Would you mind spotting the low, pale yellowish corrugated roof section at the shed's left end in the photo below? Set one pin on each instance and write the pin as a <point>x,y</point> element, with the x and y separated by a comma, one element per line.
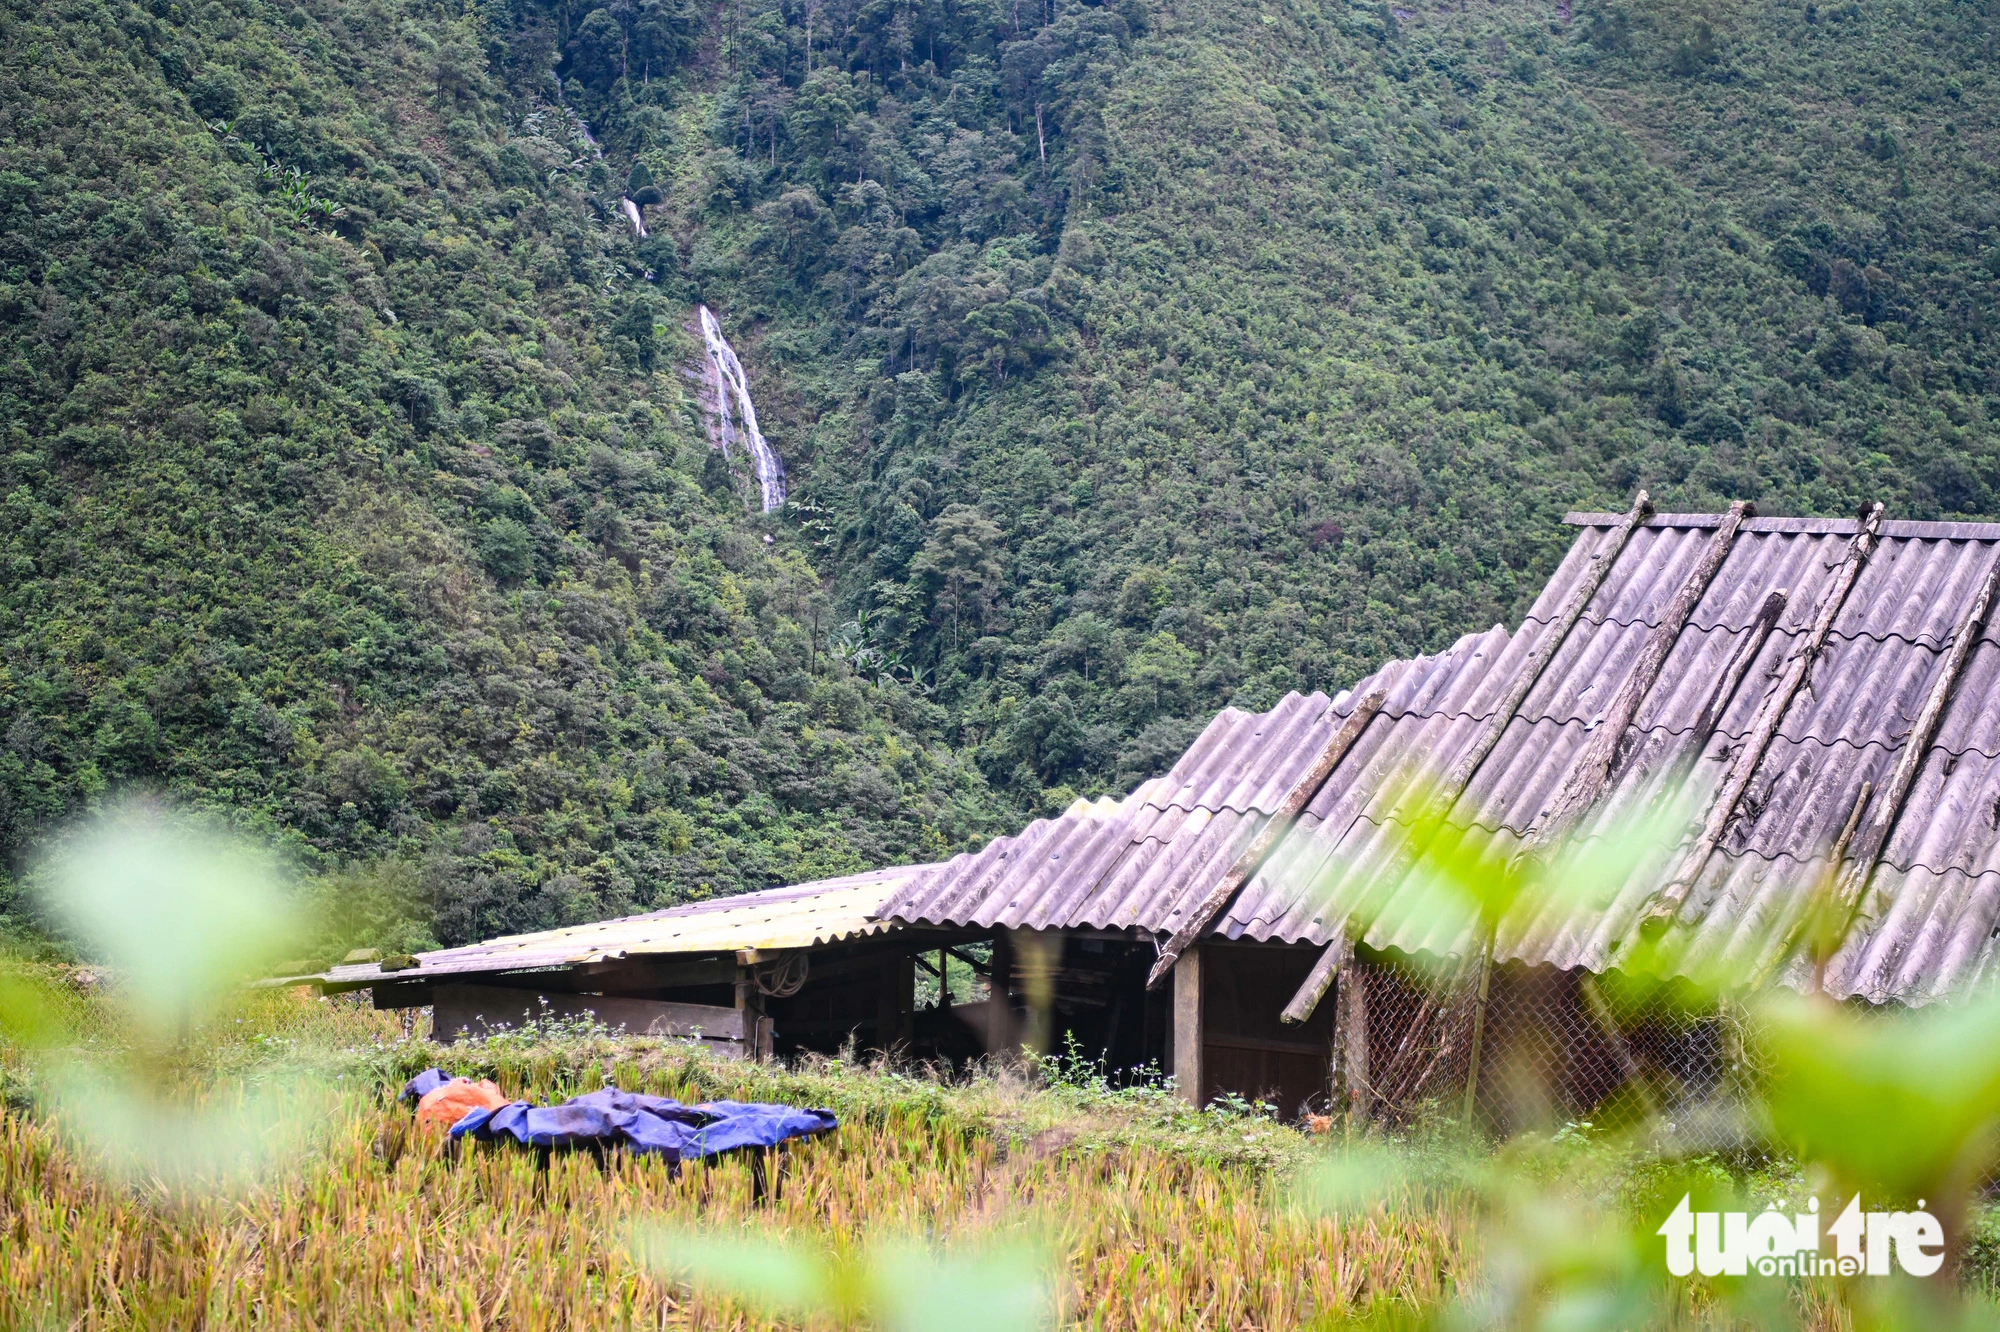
<point>797,917</point>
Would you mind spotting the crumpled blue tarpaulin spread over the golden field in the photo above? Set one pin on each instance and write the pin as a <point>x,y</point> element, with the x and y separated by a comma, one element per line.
<point>649,1125</point>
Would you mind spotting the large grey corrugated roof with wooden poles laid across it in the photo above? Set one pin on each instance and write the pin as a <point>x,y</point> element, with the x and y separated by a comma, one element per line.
<point>1927,925</point>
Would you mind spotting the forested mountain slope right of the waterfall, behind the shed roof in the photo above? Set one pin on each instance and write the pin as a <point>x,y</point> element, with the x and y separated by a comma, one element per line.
<point>1317,317</point>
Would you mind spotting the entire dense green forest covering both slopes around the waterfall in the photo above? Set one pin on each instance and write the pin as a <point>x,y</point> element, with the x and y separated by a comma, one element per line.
<point>1129,361</point>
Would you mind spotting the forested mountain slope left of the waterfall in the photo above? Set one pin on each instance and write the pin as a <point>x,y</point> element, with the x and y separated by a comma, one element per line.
<point>395,531</point>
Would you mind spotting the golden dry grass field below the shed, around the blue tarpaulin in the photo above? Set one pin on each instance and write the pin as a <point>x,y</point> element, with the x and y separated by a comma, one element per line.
<point>1155,1217</point>
